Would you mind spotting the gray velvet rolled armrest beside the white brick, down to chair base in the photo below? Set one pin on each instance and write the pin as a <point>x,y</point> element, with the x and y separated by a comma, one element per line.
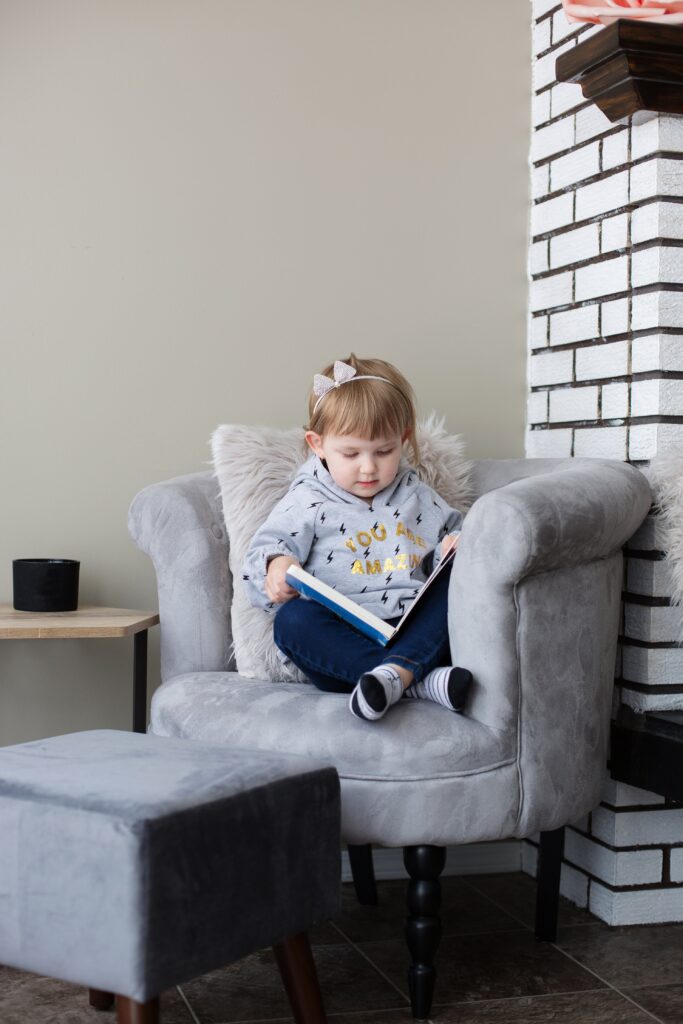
<point>534,611</point>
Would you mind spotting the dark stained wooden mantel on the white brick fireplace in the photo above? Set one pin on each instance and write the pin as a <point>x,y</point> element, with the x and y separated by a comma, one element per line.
<point>630,66</point>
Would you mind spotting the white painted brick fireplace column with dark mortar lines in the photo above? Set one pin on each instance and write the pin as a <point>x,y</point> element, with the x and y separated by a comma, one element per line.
<point>606,379</point>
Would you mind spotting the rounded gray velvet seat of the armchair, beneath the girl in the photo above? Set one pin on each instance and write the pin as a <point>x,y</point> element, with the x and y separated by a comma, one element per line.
<point>401,778</point>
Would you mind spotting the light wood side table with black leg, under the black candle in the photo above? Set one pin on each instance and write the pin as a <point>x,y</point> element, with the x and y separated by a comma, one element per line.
<point>90,623</point>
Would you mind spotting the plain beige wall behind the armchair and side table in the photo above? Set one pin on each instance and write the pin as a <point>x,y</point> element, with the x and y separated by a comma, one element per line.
<point>201,204</point>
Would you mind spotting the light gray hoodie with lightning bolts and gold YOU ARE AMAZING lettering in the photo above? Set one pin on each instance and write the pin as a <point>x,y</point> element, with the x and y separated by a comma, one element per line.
<point>377,554</point>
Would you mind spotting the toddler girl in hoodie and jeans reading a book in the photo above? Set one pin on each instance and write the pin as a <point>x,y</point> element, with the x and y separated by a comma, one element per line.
<point>359,518</point>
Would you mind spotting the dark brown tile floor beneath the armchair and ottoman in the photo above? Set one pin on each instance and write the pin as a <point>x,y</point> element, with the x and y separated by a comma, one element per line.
<point>492,970</point>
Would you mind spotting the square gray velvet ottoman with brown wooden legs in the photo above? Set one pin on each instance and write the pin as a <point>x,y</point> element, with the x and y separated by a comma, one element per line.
<point>131,864</point>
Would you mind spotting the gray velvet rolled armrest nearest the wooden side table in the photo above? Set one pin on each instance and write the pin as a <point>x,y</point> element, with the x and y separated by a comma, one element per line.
<point>180,525</point>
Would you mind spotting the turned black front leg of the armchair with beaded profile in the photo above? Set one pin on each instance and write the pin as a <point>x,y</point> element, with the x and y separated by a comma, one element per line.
<point>423,926</point>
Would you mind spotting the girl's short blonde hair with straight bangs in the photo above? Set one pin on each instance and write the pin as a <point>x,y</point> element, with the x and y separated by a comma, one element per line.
<point>371,409</point>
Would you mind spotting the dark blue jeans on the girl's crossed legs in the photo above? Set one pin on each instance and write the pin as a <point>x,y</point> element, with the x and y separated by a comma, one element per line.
<point>334,656</point>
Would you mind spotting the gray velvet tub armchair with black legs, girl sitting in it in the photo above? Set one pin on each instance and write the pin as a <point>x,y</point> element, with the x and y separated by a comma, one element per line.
<point>534,614</point>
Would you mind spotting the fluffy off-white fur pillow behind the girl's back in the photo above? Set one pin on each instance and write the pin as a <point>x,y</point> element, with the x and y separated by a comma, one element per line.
<point>254,467</point>
